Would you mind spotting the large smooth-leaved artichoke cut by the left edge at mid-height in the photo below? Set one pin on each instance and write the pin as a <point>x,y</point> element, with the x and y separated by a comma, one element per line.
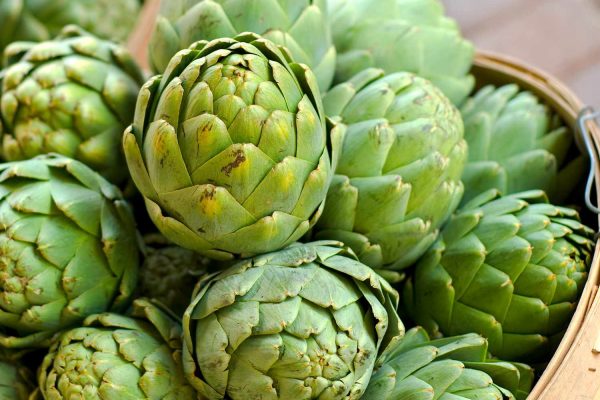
<point>67,248</point>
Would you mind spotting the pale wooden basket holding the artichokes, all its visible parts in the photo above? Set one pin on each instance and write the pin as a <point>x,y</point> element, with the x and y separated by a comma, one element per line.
<point>574,371</point>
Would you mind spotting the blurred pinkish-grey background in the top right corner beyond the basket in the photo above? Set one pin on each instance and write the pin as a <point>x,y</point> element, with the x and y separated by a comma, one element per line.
<point>561,37</point>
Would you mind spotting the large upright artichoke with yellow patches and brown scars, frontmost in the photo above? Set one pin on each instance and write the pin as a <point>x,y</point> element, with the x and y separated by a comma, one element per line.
<point>230,148</point>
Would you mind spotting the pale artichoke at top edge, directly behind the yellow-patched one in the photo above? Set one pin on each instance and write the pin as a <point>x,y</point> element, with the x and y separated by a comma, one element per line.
<point>300,25</point>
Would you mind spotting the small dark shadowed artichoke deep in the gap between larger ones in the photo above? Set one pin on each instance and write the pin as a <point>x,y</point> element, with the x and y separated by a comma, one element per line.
<point>169,273</point>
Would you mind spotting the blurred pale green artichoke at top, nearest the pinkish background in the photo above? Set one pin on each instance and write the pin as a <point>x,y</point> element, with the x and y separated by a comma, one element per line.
<point>402,35</point>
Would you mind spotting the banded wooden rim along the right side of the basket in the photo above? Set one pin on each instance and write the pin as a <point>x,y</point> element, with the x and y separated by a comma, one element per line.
<point>500,69</point>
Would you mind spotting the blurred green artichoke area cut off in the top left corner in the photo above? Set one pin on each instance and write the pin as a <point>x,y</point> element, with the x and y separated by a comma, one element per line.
<point>39,20</point>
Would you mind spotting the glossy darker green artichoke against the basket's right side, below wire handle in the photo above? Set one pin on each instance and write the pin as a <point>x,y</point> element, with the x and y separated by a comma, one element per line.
<point>509,268</point>
